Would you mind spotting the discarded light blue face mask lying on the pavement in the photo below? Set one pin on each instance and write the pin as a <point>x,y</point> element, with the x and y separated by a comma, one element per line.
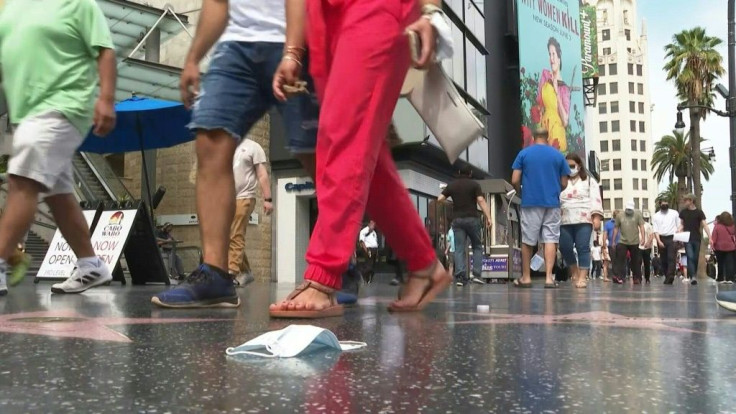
<point>292,341</point>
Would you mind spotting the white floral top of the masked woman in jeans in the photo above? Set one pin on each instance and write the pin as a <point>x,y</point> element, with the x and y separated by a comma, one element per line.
<point>580,201</point>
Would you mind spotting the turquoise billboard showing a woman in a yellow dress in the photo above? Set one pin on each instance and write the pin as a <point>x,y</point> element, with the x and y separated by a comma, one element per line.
<point>550,72</point>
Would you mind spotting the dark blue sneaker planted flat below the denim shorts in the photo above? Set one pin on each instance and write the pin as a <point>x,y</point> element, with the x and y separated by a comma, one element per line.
<point>206,287</point>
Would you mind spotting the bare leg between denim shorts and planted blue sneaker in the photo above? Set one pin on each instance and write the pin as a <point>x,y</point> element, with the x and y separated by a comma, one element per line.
<point>215,193</point>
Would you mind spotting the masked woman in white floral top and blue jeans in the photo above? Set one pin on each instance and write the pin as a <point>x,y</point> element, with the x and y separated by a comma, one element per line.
<point>582,211</point>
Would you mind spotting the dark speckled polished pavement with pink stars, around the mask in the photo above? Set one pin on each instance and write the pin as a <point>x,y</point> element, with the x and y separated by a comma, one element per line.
<point>602,349</point>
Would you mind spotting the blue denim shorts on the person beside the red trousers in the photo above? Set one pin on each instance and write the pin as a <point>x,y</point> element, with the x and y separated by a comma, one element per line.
<point>236,92</point>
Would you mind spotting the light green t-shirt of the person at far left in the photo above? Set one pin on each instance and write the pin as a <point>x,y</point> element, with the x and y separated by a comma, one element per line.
<point>48,57</point>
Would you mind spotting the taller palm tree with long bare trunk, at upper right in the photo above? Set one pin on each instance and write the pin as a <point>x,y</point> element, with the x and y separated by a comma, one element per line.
<point>694,65</point>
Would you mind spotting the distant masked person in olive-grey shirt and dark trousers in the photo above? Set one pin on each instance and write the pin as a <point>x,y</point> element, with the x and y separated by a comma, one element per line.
<point>629,231</point>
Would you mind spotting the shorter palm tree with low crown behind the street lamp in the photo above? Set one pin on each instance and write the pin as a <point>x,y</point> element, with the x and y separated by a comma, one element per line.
<point>671,159</point>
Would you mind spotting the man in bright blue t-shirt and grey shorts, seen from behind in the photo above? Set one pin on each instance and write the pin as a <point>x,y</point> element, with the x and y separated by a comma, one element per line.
<point>540,173</point>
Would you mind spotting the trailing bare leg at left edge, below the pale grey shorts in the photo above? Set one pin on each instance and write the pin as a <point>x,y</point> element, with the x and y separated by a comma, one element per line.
<point>20,209</point>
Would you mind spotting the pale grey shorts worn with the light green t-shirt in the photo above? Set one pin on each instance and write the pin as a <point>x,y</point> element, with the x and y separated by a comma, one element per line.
<point>43,149</point>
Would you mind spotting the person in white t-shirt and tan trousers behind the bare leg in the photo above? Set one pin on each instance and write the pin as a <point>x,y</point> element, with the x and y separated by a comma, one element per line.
<point>249,170</point>
